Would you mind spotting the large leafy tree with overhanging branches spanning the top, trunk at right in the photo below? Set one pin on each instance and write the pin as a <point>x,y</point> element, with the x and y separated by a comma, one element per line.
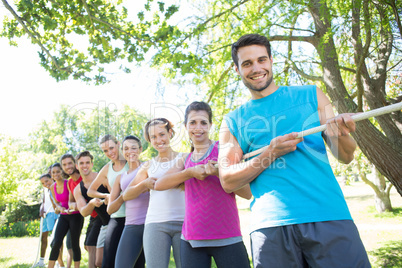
<point>351,49</point>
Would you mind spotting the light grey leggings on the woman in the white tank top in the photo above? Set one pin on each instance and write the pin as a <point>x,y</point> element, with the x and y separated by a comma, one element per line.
<point>158,239</point>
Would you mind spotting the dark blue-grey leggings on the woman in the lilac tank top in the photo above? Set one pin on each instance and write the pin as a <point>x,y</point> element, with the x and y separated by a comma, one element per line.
<point>130,246</point>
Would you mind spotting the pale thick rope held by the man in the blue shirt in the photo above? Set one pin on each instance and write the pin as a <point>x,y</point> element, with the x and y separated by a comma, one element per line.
<point>357,117</point>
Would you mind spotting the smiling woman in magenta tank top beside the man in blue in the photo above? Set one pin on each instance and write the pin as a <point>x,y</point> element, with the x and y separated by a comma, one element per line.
<point>211,225</point>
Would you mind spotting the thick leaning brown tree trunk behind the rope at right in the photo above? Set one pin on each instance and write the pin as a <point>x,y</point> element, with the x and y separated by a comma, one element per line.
<point>376,146</point>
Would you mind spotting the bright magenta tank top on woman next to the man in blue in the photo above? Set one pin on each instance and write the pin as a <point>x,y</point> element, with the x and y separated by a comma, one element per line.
<point>211,213</point>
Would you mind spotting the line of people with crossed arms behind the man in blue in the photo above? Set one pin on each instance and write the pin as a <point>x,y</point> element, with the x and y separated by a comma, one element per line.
<point>139,211</point>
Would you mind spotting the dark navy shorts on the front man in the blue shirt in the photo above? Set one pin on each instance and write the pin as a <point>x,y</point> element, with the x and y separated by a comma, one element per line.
<point>317,244</point>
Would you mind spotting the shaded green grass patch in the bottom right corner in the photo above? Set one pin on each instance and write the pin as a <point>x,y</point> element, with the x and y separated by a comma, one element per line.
<point>389,255</point>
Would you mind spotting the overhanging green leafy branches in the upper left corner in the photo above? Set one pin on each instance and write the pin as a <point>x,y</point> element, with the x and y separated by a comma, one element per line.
<point>55,26</point>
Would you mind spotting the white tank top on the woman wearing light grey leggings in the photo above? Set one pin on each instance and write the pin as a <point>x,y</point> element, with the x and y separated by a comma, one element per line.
<point>165,205</point>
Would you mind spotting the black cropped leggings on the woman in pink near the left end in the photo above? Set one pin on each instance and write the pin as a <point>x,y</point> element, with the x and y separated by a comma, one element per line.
<point>74,223</point>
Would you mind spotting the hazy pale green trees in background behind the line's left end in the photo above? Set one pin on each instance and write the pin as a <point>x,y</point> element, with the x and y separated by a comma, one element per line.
<point>71,130</point>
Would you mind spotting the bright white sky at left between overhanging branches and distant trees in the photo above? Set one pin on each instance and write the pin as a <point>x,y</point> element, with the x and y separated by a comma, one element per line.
<point>29,95</point>
